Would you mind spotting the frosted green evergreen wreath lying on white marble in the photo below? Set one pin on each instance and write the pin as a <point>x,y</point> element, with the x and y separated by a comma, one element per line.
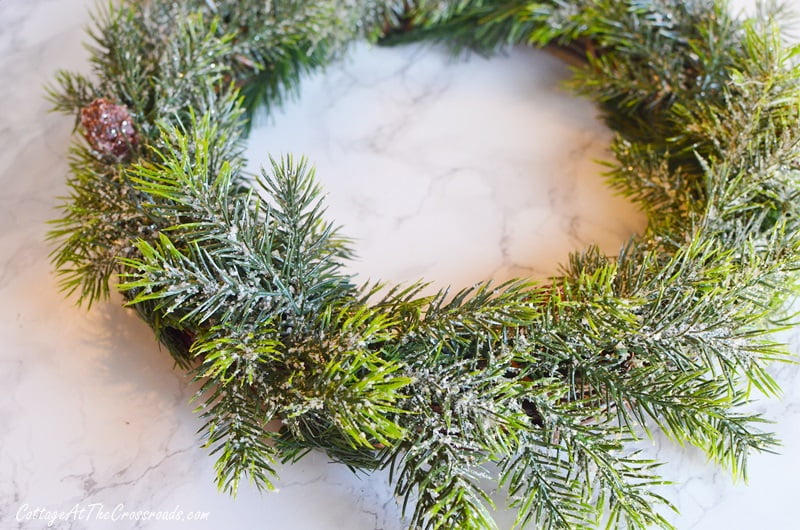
<point>537,385</point>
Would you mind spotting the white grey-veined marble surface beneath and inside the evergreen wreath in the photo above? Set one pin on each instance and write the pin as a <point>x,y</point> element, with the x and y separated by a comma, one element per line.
<point>455,171</point>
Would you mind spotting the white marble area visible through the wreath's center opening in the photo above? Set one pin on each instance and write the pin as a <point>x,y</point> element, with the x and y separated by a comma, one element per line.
<point>453,170</point>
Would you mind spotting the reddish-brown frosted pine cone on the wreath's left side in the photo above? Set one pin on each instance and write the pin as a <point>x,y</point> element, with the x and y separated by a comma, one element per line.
<point>109,129</point>
